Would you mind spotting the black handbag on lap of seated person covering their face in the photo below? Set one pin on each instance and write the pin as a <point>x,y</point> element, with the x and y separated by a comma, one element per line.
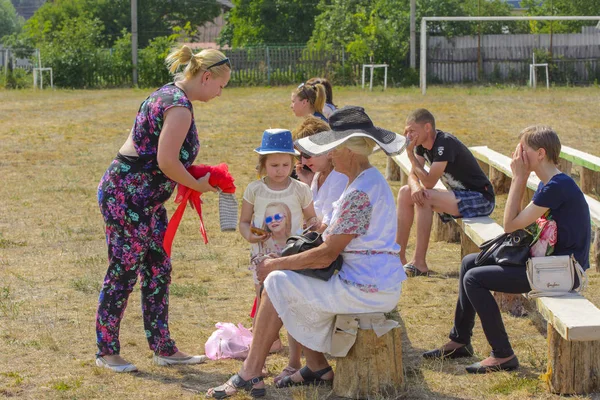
<point>507,249</point>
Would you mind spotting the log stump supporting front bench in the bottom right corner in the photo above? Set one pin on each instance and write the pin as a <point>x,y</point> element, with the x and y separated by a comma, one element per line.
<point>573,367</point>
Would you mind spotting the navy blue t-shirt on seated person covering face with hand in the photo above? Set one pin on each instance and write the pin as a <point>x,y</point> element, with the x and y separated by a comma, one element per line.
<point>572,216</point>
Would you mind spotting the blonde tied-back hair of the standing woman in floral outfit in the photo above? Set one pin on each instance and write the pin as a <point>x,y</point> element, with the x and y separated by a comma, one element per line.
<point>195,63</point>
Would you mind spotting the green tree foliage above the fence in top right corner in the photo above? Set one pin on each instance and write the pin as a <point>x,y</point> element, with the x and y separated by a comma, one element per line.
<point>561,7</point>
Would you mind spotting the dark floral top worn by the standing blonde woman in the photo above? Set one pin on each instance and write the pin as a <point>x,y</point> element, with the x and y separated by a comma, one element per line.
<point>149,122</point>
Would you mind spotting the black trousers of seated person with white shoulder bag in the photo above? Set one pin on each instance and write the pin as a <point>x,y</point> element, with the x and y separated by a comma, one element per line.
<point>474,296</point>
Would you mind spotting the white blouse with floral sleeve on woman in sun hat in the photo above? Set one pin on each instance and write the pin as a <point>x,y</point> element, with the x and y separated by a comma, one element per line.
<point>367,209</point>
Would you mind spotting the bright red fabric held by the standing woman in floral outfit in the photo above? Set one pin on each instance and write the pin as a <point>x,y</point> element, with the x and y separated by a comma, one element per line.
<point>219,177</point>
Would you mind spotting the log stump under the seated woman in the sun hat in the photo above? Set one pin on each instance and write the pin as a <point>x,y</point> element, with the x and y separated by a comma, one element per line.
<point>373,366</point>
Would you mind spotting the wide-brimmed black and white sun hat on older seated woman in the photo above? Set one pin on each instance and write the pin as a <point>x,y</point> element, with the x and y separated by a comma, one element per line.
<point>347,122</point>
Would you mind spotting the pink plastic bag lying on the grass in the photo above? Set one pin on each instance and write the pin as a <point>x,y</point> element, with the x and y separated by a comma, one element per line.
<point>228,341</point>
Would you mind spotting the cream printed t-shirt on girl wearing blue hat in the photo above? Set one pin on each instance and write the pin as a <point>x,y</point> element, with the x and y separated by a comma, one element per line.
<point>293,199</point>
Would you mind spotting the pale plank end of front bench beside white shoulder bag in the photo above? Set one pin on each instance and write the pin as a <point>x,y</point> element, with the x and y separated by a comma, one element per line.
<point>573,316</point>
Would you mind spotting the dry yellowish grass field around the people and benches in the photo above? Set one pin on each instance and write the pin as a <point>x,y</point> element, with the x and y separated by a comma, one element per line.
<point>55,146</point>
